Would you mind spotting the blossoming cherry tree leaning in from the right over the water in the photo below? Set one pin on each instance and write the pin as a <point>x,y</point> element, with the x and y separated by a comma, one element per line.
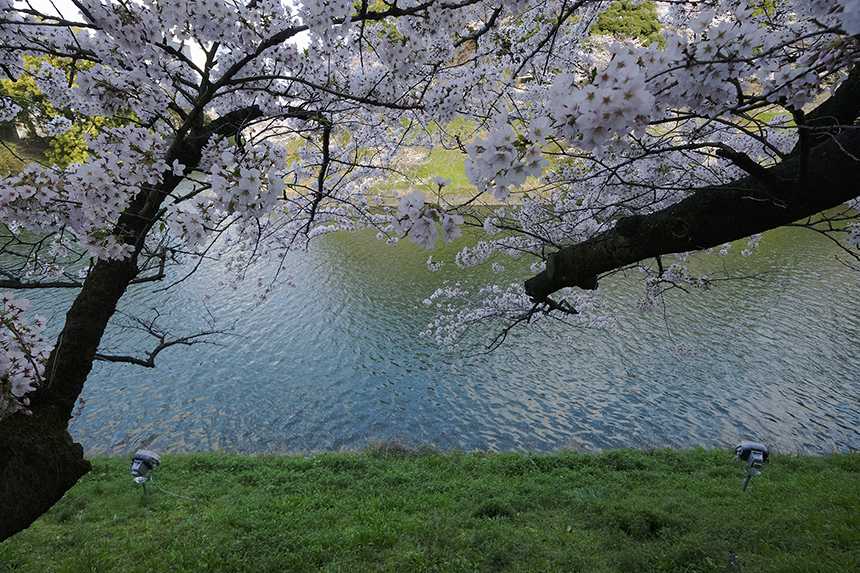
<point>741,122</point>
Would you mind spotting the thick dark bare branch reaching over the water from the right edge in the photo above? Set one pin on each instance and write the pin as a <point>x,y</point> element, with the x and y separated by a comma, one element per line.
<point>712,216</point>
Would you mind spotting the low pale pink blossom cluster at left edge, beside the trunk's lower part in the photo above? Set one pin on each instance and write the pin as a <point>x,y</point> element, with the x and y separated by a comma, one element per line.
<point>24,351</point>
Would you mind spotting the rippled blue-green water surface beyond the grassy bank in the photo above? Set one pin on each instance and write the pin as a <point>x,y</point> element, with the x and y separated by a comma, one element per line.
<point>338,362</point>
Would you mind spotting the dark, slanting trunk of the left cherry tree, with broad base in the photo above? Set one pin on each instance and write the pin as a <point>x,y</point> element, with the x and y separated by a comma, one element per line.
<point>39,461</point>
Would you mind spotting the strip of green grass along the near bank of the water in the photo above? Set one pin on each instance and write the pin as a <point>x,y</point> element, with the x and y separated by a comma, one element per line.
<point>391,509</point>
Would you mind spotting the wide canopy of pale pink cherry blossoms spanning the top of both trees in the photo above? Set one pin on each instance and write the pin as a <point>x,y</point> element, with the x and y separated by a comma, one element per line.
<point>634,127</point>
